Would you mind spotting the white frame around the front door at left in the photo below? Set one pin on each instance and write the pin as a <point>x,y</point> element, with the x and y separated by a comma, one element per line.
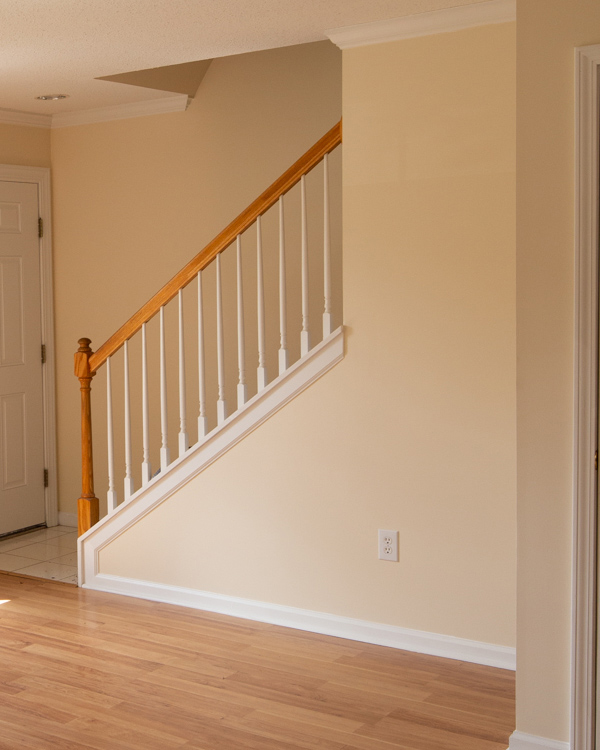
<point>41,177</point>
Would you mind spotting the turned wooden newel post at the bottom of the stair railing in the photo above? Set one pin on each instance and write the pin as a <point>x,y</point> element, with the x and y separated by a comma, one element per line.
<point>88,512</point>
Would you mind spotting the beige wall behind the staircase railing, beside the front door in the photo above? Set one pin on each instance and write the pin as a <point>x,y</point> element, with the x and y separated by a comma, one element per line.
<point>135,200</point>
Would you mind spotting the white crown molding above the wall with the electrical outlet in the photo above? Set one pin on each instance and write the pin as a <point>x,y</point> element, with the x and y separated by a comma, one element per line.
<point>424,24</point>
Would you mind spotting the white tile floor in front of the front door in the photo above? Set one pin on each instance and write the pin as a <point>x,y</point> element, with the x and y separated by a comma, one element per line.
<point>44,553</point>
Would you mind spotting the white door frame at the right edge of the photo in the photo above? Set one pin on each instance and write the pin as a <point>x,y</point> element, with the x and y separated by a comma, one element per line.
<point>587,216</point>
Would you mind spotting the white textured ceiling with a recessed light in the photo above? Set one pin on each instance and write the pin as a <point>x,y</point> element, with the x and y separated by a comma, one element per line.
<point>62,46</point>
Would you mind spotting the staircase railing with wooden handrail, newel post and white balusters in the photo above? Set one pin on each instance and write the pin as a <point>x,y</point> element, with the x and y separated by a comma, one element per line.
<point>88,363</point>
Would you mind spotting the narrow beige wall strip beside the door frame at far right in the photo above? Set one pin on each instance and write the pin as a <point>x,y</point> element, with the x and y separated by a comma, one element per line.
<point>548,32</point>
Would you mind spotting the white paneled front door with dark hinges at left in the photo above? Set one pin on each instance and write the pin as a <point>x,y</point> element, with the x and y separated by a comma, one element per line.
<point>22,502</point>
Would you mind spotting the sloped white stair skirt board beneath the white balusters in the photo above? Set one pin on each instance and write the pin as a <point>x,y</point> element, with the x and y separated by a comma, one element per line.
<point>257,410</point>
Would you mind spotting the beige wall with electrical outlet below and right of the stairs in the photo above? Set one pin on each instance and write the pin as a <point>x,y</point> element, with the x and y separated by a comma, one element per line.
<point>415,429</point>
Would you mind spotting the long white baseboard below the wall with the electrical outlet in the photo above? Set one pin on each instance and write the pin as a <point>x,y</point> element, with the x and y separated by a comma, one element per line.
<point>418,641</point>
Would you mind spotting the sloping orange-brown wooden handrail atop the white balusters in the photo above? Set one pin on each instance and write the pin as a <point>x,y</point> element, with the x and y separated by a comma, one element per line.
<point>271,195</point>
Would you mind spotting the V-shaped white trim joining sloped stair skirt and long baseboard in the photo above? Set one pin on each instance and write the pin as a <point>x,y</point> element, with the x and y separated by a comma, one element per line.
<point>282,390</point>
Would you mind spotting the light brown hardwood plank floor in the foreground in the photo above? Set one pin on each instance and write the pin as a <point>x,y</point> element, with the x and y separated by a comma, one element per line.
<point>80,669</point>
